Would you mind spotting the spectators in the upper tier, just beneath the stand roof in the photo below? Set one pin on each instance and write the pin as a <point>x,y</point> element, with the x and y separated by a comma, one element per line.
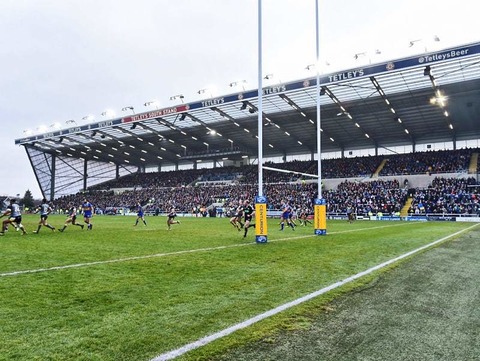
<point>398,164</point>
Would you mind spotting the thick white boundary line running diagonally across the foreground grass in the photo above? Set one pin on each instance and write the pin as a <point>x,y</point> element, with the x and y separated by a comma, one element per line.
<point>205,340</point>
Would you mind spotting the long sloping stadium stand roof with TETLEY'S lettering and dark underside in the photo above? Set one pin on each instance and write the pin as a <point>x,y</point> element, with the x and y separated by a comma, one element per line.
<point>428,98</point>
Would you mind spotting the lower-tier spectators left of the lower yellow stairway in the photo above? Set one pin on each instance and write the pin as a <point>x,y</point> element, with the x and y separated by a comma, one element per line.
<point>366,197</point>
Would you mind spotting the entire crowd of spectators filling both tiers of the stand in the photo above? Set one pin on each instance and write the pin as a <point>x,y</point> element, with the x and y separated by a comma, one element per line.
<point>190,190</point>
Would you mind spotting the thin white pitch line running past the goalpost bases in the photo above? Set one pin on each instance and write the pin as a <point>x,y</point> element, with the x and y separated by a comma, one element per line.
<point>135,258</point>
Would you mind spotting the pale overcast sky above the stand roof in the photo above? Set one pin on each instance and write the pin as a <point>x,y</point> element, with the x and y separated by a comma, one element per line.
<point>65,59</point>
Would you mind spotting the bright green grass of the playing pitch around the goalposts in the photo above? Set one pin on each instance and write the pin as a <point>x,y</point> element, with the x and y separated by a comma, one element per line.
<point>203,278</point>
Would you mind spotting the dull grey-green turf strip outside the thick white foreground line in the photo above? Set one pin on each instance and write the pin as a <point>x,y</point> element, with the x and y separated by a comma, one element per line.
<point>424,310</point>
